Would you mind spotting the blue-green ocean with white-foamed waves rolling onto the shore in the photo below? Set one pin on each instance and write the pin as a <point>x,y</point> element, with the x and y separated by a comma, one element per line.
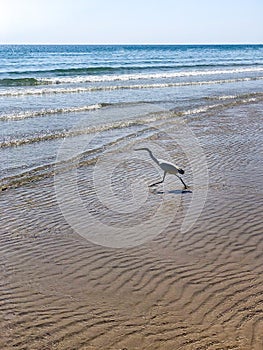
<point>110,93</point>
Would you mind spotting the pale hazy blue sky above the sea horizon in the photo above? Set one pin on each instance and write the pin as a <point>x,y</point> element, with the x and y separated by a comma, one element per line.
<point>131,21</point>
